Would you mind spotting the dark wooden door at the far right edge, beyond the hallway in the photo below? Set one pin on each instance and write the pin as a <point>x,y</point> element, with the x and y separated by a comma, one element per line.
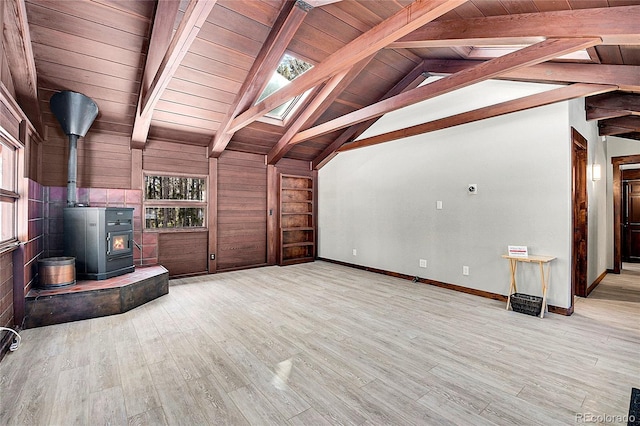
<point>631,221</point>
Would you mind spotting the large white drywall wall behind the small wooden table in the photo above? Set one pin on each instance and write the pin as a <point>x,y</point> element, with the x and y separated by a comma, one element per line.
<point>381,200</point>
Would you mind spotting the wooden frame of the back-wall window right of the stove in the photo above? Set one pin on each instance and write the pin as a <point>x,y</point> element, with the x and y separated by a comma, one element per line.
<point>168,203</point>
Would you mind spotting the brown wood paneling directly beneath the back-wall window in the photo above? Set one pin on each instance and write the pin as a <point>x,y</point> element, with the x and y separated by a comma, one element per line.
<point>183,253</point>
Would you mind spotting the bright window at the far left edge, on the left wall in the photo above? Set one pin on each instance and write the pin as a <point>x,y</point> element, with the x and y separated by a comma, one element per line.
<point>8,194</point>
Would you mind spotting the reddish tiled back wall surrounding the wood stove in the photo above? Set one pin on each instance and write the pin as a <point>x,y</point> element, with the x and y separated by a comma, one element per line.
<point>56,201</point>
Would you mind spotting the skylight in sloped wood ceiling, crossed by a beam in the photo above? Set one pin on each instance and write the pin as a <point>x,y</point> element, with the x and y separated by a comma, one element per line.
<point>288,70</point>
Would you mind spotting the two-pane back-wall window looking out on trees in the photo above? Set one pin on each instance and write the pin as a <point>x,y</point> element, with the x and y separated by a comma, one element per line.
<point>175,202</point>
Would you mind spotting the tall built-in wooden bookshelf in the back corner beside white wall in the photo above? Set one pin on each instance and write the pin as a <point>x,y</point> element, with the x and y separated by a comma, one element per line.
<point>297,228</point>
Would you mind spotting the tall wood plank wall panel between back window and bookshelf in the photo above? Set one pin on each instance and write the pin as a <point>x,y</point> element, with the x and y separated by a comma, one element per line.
<point>242,206</point>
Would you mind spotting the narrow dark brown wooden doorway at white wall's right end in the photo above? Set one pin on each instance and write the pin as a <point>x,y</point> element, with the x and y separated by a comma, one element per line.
<point>579,215</point>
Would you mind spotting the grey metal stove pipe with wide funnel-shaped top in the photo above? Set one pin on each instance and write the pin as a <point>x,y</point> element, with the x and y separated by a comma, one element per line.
<point>75,113</point>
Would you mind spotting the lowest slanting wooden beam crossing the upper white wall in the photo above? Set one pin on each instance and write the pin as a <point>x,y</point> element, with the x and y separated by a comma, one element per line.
<point>577,90</point>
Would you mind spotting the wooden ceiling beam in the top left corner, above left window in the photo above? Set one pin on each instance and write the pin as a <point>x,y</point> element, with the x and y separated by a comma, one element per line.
<point>17,43</point>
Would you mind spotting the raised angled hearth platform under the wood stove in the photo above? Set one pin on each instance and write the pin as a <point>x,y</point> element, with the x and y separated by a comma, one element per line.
<point>92,299</point>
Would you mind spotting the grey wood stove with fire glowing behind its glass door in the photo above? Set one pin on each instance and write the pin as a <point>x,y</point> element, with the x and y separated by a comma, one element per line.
<point>101,240</point>
